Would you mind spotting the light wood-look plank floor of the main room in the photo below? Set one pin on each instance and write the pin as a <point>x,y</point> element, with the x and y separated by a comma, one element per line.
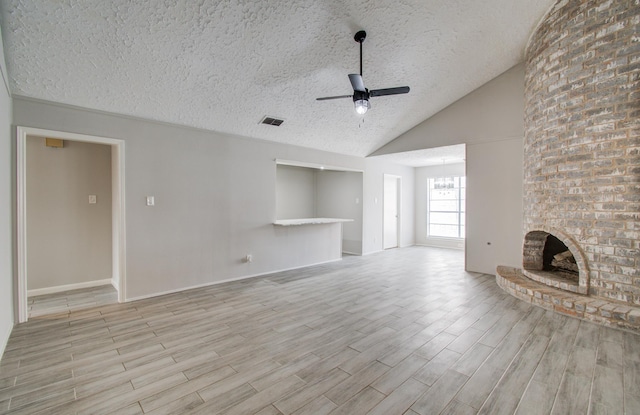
<point>405,331</point>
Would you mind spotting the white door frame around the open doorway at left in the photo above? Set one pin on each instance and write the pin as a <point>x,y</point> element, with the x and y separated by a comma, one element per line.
<point>118,229</point>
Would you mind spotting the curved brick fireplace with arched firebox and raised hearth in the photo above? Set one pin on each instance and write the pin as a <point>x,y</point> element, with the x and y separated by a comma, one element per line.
<point>582,164</point>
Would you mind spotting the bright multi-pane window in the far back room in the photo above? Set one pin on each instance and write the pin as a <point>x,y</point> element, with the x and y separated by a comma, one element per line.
<point>445,210</point>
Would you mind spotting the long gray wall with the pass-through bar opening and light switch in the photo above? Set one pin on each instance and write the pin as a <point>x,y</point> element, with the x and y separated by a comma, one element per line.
<point>215,200</point>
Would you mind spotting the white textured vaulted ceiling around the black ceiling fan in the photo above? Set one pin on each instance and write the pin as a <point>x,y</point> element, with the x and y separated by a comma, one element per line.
<point>224,65</point>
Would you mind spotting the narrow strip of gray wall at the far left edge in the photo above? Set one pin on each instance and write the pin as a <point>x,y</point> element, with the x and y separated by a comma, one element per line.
<point>6,224</point>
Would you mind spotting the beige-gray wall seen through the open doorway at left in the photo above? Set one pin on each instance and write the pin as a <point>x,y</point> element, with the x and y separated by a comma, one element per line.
<point>68,239</point>
